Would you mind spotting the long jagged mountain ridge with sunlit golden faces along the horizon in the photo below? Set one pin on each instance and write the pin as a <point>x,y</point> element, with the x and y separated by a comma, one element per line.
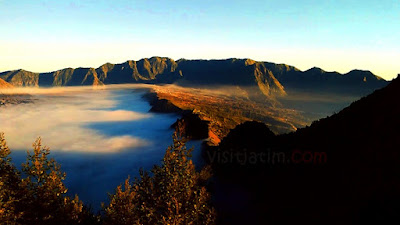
<point>261,78</point>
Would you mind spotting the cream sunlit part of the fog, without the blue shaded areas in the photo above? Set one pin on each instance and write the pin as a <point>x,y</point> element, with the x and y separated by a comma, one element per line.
<point>59,116</point>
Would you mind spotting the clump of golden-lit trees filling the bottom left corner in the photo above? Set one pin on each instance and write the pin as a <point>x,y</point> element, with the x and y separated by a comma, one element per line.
<point>38,196</point>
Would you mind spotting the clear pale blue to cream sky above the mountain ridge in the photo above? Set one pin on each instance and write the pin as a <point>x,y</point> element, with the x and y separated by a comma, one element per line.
<point>336,35</point>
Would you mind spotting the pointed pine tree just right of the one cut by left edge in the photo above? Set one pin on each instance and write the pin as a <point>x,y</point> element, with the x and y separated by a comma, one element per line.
<point>45,199</point>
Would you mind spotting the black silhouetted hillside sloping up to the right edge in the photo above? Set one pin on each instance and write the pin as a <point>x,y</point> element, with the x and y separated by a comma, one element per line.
<point>343,169</point>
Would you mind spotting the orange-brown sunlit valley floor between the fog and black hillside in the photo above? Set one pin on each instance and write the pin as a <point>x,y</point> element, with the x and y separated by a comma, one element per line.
<point>224,109</point>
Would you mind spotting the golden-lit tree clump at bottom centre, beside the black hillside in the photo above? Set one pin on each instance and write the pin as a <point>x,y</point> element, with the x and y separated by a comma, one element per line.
<point>174,194</point>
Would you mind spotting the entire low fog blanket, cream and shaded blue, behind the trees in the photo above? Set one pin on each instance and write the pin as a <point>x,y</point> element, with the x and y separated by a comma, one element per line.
<point>99,136</point>
